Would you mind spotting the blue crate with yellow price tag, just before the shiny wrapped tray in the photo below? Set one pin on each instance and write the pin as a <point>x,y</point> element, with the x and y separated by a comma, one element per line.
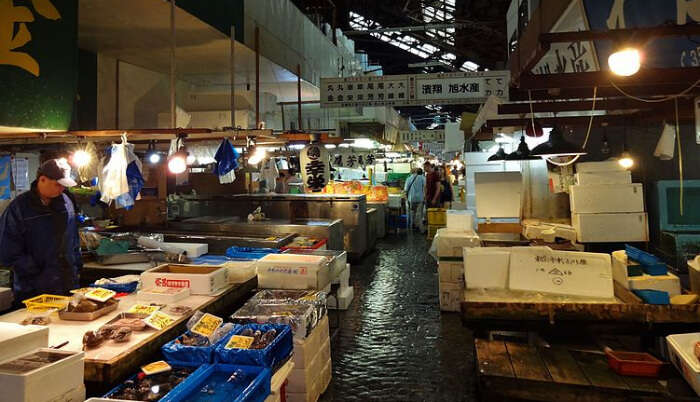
<point>273,356</point>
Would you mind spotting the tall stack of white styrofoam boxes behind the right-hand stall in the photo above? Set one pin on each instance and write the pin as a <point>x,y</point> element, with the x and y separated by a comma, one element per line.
<point>606,206</point>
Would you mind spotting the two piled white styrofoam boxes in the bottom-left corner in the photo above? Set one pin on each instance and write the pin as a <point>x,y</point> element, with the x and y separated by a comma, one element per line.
<point>61,380</point>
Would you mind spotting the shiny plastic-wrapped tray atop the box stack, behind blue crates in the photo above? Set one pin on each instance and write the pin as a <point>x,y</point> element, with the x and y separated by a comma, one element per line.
<point>301,318</point>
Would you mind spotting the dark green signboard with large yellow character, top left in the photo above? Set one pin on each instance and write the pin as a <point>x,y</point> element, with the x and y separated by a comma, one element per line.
<point>38,63</point>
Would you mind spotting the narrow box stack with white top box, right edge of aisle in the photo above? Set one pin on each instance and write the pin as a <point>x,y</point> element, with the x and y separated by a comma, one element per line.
<point>451,241</point>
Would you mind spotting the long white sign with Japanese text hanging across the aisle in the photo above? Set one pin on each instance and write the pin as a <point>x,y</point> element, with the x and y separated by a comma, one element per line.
<point>414,89</point>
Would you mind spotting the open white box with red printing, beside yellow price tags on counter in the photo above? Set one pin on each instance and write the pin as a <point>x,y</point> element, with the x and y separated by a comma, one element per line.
<point>200,279</point>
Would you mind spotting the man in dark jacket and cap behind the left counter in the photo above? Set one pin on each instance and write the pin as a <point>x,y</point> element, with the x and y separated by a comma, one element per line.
<point>39,235</point>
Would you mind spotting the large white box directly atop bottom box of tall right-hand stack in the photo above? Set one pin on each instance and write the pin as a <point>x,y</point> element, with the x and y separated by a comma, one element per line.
<point>606,198</point>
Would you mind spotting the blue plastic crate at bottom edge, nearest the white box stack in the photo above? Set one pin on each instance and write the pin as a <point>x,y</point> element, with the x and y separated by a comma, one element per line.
<point>255,387</point>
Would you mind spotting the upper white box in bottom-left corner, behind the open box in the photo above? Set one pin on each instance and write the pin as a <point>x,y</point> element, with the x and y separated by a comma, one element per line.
<point>16,339</point>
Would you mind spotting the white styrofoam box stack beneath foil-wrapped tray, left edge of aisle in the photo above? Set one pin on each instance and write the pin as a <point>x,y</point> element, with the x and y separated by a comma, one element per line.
<point>312,365</point>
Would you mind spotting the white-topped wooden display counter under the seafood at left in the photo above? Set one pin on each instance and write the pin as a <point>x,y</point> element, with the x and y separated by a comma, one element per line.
<point>112,362</point>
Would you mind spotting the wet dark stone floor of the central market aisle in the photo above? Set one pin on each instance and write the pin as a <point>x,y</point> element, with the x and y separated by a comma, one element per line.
<point>394,344</point>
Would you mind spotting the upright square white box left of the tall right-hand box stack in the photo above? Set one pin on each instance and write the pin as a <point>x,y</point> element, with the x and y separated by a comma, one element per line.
<point>498,194</point>
